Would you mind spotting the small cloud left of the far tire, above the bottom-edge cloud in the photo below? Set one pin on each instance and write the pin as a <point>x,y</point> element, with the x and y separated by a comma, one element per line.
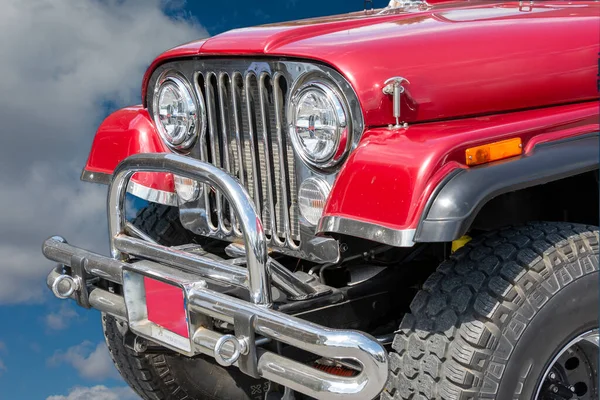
<point>90,362</point>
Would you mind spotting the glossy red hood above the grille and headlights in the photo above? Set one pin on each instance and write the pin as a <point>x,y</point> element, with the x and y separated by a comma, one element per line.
<point>460,58</point>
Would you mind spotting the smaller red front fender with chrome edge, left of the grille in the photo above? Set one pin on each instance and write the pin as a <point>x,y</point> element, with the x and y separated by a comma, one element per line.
<point>122,134</point>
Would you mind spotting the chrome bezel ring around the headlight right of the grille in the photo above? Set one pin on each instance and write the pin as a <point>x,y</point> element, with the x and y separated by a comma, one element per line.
<point>336,97</point>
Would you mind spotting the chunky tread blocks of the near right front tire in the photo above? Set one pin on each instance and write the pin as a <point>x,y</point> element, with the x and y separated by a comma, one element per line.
<point>443,347</point>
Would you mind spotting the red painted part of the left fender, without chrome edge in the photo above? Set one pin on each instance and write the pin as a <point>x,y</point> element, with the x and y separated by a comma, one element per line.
<point>124,133</point>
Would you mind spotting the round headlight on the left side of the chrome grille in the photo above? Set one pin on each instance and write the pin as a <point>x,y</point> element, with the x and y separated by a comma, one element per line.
<point>176,112</point>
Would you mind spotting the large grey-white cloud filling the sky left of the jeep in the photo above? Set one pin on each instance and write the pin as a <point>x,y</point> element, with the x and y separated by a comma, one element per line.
<point>65,60</point>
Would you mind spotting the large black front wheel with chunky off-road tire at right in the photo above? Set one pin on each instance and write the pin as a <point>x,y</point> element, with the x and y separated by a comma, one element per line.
<point>511,315</point>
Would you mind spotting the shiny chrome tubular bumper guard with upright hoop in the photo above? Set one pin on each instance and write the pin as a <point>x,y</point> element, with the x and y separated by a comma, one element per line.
<point>134,258</point>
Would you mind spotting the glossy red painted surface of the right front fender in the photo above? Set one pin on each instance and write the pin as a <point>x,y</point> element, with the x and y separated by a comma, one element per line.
<point>408,164</point>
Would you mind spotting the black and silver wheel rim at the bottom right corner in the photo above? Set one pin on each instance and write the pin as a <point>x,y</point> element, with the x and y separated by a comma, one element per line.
<point>572,373</point>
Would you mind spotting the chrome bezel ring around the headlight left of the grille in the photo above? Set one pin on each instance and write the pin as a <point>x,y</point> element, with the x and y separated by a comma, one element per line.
<point>196,106</point>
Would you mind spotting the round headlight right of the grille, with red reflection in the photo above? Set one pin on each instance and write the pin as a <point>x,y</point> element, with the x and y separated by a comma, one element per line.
<point>319,124</point>
